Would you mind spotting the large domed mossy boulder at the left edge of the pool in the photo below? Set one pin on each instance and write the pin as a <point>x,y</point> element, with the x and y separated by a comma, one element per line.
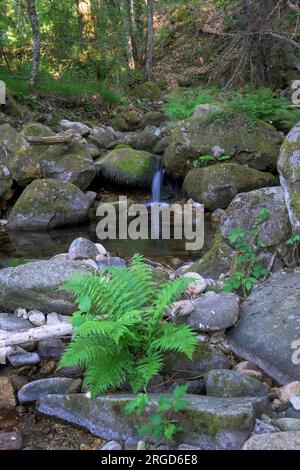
<point>48,204</point>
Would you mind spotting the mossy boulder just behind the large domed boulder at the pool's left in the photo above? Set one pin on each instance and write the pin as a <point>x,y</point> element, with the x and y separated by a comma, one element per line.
<point>70,163</point>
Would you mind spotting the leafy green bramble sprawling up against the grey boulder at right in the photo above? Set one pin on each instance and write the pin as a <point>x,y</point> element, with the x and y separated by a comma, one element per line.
<point>247,269</point>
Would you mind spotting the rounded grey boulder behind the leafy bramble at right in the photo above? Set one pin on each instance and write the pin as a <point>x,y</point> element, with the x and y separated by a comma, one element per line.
<point>244,210</point>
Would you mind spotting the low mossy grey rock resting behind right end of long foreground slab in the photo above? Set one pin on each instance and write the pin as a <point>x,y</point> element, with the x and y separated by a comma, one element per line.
<point>230,383</point>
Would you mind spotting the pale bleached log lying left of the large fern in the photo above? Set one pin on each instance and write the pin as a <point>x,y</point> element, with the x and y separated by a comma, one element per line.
<point>15,338</point>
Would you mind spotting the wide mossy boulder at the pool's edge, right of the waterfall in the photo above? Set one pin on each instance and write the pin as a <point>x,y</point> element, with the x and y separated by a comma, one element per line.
<point>215,186</point>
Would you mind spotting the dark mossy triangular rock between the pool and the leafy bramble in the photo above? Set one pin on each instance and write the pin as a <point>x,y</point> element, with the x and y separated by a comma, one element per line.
<point>216,261</point>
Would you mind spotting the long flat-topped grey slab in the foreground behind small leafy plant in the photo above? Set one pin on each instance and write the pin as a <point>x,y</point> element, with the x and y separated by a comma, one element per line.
<point>208,422</point>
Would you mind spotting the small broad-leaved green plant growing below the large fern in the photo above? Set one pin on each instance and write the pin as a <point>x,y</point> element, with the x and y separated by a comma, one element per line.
<point>162,424</point>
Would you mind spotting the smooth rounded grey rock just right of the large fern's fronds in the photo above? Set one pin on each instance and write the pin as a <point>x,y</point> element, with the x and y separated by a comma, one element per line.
<point>214,312</point>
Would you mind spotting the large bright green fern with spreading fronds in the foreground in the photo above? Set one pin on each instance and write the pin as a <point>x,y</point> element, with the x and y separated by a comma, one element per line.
<point>120,332</point>
